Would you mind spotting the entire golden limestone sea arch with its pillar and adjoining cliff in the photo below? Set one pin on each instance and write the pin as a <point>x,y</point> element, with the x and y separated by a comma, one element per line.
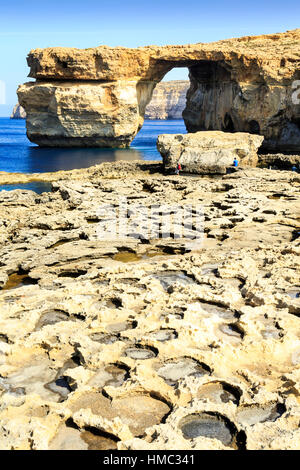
<point>98,96</point>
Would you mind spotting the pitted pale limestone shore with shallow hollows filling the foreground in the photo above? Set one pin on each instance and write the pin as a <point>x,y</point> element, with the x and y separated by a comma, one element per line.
<point>134,344</point>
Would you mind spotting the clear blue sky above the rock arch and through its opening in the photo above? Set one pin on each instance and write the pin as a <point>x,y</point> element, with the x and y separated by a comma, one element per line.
<point>27,25</point>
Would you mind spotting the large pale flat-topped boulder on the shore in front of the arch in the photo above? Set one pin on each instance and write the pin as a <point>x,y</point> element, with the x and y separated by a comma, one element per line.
<point>208,151</point>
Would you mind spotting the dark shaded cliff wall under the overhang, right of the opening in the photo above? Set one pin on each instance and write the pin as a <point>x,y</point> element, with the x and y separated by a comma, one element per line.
<point>217,100</point>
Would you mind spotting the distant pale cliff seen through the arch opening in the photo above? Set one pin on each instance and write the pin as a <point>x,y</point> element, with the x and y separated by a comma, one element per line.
<point>168,100</point>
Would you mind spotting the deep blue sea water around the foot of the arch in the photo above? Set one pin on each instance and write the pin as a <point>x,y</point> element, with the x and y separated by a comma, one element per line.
<point>19,155</point>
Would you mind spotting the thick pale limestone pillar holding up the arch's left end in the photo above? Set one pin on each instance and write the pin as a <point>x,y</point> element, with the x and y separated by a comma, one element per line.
<point>74,114</point>
